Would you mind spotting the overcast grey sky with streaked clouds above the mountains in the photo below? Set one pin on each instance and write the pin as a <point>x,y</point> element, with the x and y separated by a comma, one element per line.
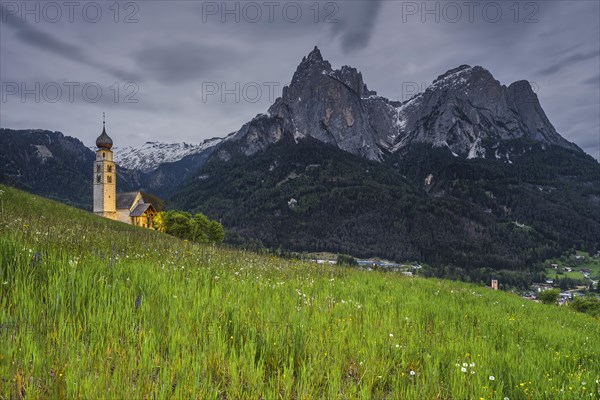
<point>191,70</point>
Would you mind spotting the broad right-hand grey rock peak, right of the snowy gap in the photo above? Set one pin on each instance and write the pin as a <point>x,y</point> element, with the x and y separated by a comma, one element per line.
<point>466,106</point>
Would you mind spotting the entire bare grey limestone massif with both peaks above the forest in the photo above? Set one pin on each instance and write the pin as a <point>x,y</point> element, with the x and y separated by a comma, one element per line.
<point>465,110</point>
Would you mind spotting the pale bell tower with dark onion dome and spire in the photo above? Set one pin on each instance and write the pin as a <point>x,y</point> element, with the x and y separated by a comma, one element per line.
<point>105,177</point>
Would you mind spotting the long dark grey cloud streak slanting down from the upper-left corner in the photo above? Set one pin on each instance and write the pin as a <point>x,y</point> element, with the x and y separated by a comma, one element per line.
<point>47,42</point>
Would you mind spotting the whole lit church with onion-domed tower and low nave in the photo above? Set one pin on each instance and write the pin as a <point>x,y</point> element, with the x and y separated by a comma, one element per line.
<point>133,208</point>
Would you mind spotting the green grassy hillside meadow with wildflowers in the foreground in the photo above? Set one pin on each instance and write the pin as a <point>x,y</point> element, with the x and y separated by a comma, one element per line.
<point>91,308</point>
